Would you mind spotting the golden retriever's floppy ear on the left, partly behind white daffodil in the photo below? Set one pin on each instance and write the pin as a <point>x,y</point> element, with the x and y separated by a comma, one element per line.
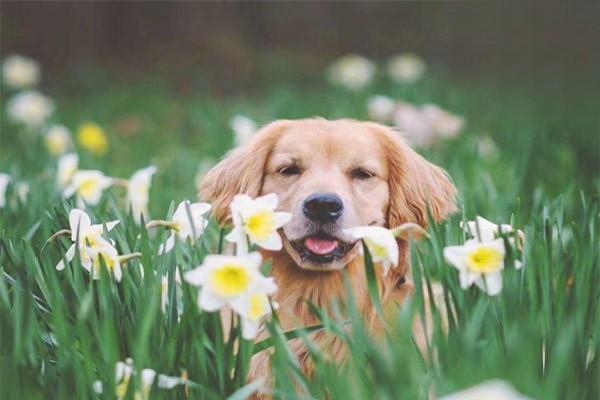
<point>240,171</point>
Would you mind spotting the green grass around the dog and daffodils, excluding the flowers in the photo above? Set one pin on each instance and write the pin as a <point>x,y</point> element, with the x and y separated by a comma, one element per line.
<point>61,331</point>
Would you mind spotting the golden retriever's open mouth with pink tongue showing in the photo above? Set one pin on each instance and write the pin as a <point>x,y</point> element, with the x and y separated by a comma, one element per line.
<point>321,248</point>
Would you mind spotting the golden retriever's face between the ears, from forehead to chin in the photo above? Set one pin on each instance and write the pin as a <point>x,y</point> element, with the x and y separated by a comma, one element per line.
<point>331,177</point>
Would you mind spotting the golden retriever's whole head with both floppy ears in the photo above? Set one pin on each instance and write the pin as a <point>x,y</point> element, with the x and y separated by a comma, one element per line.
<point>331,175</point>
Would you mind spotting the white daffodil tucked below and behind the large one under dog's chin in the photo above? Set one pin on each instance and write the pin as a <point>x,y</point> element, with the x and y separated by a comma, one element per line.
<point>254,306</point>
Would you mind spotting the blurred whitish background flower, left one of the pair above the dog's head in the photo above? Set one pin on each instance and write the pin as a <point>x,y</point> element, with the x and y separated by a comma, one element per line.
<point>352,72</point>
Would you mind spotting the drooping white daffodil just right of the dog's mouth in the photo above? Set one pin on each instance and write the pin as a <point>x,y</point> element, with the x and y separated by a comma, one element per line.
<point>381,244</point>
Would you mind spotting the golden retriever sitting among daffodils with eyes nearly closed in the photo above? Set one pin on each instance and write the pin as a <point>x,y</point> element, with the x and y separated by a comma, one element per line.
<point>331,175</point>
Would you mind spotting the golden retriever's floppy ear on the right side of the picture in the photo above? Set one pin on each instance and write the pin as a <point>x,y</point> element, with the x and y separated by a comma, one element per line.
<point>415,184</point>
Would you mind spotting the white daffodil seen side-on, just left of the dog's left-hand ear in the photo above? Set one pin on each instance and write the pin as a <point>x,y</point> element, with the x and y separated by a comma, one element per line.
<point>184,227</point>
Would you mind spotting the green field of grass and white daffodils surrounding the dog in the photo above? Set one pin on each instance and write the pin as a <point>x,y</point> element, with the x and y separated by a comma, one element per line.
<point>106,251</point>
